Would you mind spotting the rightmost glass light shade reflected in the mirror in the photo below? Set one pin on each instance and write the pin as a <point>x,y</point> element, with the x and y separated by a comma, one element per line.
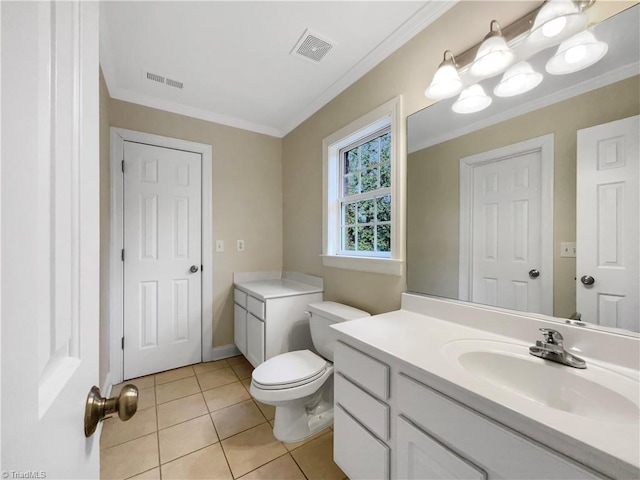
<point>579,52</point>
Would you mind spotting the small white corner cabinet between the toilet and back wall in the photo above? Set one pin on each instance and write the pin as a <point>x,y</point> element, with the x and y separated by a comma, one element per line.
<point>270,312</point>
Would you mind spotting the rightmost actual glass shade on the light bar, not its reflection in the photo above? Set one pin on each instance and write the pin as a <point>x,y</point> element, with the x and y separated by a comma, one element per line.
<point>556,21</point>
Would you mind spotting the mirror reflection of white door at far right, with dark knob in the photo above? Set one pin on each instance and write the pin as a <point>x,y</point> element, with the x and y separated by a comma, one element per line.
<point>608,224</point>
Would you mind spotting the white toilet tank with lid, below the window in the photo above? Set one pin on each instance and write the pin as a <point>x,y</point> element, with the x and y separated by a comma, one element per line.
<point>324,314</point>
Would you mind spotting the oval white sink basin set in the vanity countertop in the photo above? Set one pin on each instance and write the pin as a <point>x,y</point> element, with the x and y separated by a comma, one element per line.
<point>596,393</point>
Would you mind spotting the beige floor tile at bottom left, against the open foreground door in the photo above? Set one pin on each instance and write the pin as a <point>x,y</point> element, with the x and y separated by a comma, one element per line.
<point>131,458</point>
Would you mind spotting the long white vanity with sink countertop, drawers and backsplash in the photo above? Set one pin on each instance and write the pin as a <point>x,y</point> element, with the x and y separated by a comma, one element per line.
<point>446,390</point>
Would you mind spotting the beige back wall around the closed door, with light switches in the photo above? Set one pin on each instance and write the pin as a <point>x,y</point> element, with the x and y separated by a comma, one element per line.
<point>247,196</point>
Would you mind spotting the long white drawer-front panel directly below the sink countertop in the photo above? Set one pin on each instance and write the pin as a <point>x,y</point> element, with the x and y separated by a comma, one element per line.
<point>494,447</point>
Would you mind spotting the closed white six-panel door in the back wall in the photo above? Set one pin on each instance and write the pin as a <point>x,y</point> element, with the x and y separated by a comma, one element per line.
<point>162,243</point>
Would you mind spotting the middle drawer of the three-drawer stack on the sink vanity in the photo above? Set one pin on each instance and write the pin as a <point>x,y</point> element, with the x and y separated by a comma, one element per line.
<point>371,412</point>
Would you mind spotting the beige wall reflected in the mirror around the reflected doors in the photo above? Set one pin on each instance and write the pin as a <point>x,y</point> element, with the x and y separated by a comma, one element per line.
<point>433,187</point>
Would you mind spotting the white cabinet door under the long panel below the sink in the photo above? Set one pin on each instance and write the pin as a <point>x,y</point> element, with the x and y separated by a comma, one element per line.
<point>421,456</point>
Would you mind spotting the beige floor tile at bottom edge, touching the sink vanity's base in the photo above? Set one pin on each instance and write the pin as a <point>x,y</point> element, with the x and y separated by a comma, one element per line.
<point>315,458</point>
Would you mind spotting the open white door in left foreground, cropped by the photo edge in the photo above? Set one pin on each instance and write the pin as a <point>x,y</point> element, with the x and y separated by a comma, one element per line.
<point>50,237</point>
